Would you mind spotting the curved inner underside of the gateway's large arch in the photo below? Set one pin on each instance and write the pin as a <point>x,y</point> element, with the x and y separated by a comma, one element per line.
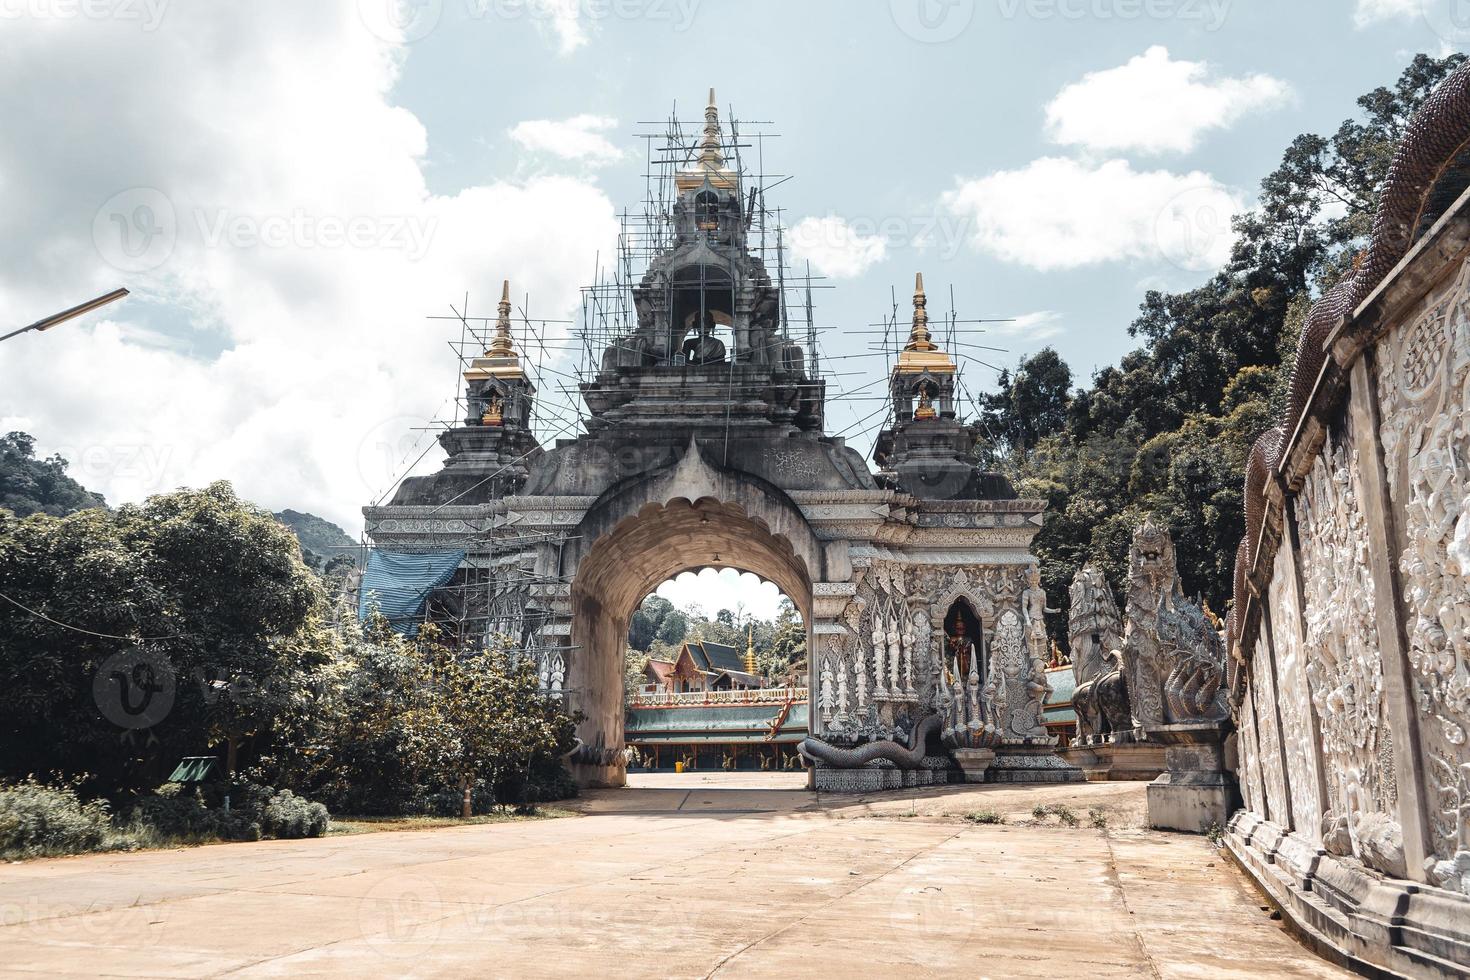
<point>627,565</point>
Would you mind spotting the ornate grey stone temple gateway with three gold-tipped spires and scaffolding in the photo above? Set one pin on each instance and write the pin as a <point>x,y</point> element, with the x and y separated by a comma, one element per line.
<point>705,444</point>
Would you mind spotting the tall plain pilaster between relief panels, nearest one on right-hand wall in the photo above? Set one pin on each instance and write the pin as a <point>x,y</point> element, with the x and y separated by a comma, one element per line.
<point>1378,509</point>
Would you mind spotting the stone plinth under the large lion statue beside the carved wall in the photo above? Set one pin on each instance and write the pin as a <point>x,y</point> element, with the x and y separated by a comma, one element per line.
<point>1194,793</point>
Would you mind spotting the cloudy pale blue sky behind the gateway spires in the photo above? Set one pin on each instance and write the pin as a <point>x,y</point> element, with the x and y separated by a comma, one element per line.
<point>292,190</point>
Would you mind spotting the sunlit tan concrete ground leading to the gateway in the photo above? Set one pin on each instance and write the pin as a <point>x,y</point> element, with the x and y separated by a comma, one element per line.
<point>680,876</point>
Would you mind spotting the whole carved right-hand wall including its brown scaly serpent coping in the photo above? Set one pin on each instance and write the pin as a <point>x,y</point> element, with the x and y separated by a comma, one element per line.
<point>1352,621</point>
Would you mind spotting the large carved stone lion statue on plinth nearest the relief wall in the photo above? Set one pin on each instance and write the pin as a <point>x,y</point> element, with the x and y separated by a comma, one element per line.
<point>1174,660</point>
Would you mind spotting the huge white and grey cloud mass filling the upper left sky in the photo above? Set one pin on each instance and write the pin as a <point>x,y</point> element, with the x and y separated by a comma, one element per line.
<point>293,237</point>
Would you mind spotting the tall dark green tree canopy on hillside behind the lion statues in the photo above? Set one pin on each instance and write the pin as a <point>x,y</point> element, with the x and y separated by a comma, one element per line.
<point>1171,427</point>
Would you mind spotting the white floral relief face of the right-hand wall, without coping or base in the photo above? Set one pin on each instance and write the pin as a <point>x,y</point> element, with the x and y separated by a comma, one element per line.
<point>1355,718</point>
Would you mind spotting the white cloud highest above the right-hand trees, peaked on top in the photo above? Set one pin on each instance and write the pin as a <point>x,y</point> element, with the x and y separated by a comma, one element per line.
<point>1156,105</point>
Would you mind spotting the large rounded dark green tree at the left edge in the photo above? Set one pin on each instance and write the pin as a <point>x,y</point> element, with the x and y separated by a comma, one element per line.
<point>136,637</point>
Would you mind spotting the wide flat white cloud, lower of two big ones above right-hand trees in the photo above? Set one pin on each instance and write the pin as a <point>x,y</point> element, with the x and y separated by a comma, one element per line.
<point>1061,214</point>
